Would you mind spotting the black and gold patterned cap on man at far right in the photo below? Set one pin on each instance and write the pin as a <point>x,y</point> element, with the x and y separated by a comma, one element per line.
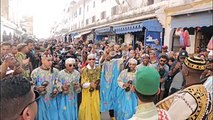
<point>195,63</point>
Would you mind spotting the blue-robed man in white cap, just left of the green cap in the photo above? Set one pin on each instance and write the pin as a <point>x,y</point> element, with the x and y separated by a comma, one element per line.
<point>126,98</point>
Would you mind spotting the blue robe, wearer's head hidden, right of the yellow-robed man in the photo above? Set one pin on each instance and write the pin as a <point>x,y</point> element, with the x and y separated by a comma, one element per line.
<point>108,83</point>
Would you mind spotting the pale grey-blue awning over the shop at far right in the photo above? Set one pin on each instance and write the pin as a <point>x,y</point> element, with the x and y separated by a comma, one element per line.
<point>199,19</point>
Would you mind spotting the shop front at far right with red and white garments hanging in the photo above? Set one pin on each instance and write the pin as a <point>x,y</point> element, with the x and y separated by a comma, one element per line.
<point>198,25</point>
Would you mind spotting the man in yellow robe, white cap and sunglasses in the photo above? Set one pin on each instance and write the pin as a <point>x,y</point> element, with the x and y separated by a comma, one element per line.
<point>90,78</point>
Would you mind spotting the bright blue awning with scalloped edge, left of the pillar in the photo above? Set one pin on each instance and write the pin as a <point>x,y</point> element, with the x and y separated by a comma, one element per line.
<point>150,25</point>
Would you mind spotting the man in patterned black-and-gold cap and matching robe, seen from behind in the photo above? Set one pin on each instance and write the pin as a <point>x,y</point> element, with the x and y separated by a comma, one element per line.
<point>194,97</point>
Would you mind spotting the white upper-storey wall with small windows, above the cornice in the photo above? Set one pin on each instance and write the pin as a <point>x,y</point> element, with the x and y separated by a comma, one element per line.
<point>114,11</point>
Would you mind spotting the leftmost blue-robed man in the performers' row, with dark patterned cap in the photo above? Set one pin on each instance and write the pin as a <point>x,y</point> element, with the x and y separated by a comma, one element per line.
<point>46,83</point>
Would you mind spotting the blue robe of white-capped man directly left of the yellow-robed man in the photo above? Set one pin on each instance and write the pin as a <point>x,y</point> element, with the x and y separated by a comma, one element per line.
<point>68,109</point>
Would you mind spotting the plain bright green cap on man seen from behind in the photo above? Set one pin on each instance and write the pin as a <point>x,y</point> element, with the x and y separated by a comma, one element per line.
<point>147,81</point>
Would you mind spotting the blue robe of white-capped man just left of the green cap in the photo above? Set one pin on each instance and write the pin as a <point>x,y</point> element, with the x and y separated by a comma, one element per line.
<point>126,101</point>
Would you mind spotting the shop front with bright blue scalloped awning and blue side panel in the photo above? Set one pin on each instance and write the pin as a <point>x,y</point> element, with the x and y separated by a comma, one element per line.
<point>146,31</point>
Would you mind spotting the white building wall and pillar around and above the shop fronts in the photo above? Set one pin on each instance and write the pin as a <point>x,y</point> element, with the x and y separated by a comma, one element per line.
<point>129,11</point>
